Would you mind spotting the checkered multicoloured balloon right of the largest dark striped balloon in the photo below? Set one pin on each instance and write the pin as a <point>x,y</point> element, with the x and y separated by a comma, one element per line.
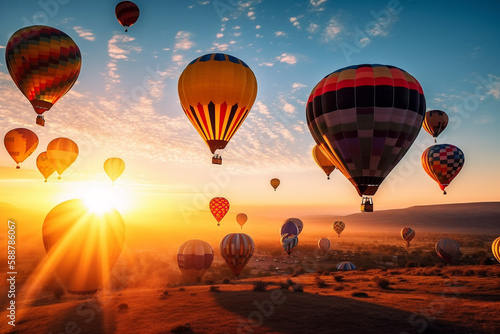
<point>442,163</point>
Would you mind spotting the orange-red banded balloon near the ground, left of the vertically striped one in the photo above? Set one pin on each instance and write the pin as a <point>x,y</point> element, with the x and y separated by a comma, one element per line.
<point>194,258</point>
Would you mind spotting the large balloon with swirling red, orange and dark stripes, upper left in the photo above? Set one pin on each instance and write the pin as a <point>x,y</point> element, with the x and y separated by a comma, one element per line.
<point>44,63</point>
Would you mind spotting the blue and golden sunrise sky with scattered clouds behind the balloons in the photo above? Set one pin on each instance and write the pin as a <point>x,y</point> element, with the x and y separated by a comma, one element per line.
<point>125,104</point>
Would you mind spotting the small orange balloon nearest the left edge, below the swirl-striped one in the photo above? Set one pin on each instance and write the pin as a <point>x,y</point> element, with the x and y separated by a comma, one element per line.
<point>20,143</point>
